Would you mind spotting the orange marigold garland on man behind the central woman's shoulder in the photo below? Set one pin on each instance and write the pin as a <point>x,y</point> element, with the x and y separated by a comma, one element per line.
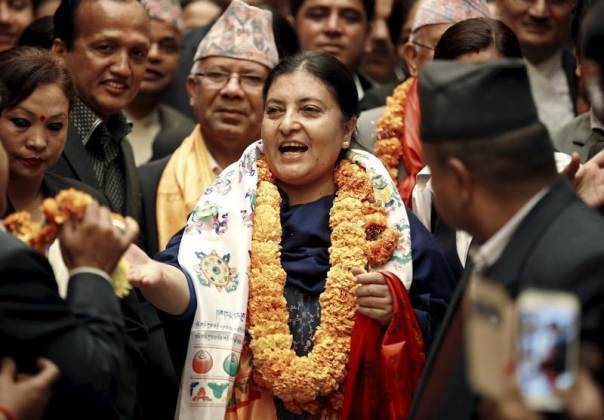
<point>388,145</point>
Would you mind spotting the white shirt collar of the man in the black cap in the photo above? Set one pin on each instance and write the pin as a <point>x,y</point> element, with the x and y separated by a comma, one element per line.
<point>485,255</point>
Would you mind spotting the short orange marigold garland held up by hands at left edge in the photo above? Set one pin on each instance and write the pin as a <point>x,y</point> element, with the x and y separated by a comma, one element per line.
<point>68,204</point>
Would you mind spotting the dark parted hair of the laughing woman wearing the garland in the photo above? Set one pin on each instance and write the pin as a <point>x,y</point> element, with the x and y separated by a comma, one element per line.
<point>329,70</point>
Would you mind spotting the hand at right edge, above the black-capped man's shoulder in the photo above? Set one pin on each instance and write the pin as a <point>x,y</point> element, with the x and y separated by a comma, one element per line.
<point>588,179</point>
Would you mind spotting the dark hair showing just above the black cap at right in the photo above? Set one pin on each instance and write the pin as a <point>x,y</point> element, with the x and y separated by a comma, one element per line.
<point>476,35</point>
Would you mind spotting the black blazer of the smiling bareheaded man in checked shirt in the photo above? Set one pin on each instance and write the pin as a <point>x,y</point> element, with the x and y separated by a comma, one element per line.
<point>75,163</point>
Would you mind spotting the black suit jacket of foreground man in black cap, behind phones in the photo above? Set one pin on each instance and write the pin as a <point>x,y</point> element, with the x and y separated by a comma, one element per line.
<point>558,245</point>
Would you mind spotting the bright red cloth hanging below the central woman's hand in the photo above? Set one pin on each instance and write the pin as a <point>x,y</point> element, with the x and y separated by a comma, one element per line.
<point>384,367</point>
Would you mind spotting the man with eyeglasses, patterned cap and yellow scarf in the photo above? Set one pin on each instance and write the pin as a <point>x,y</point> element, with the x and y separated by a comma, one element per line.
<point>225,90</point>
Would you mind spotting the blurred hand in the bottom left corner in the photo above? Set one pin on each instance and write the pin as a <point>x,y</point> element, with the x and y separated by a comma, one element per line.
<point>26,396</point>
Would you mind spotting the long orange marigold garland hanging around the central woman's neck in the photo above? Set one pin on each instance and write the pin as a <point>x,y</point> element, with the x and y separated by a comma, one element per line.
<point>359,236</point>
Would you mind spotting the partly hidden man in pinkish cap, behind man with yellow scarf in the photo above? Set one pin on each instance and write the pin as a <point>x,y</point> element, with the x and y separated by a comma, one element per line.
<point>150,118</point>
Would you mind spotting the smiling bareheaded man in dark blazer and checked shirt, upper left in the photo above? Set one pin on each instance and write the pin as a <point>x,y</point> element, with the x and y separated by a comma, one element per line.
<point>104,44</point>
